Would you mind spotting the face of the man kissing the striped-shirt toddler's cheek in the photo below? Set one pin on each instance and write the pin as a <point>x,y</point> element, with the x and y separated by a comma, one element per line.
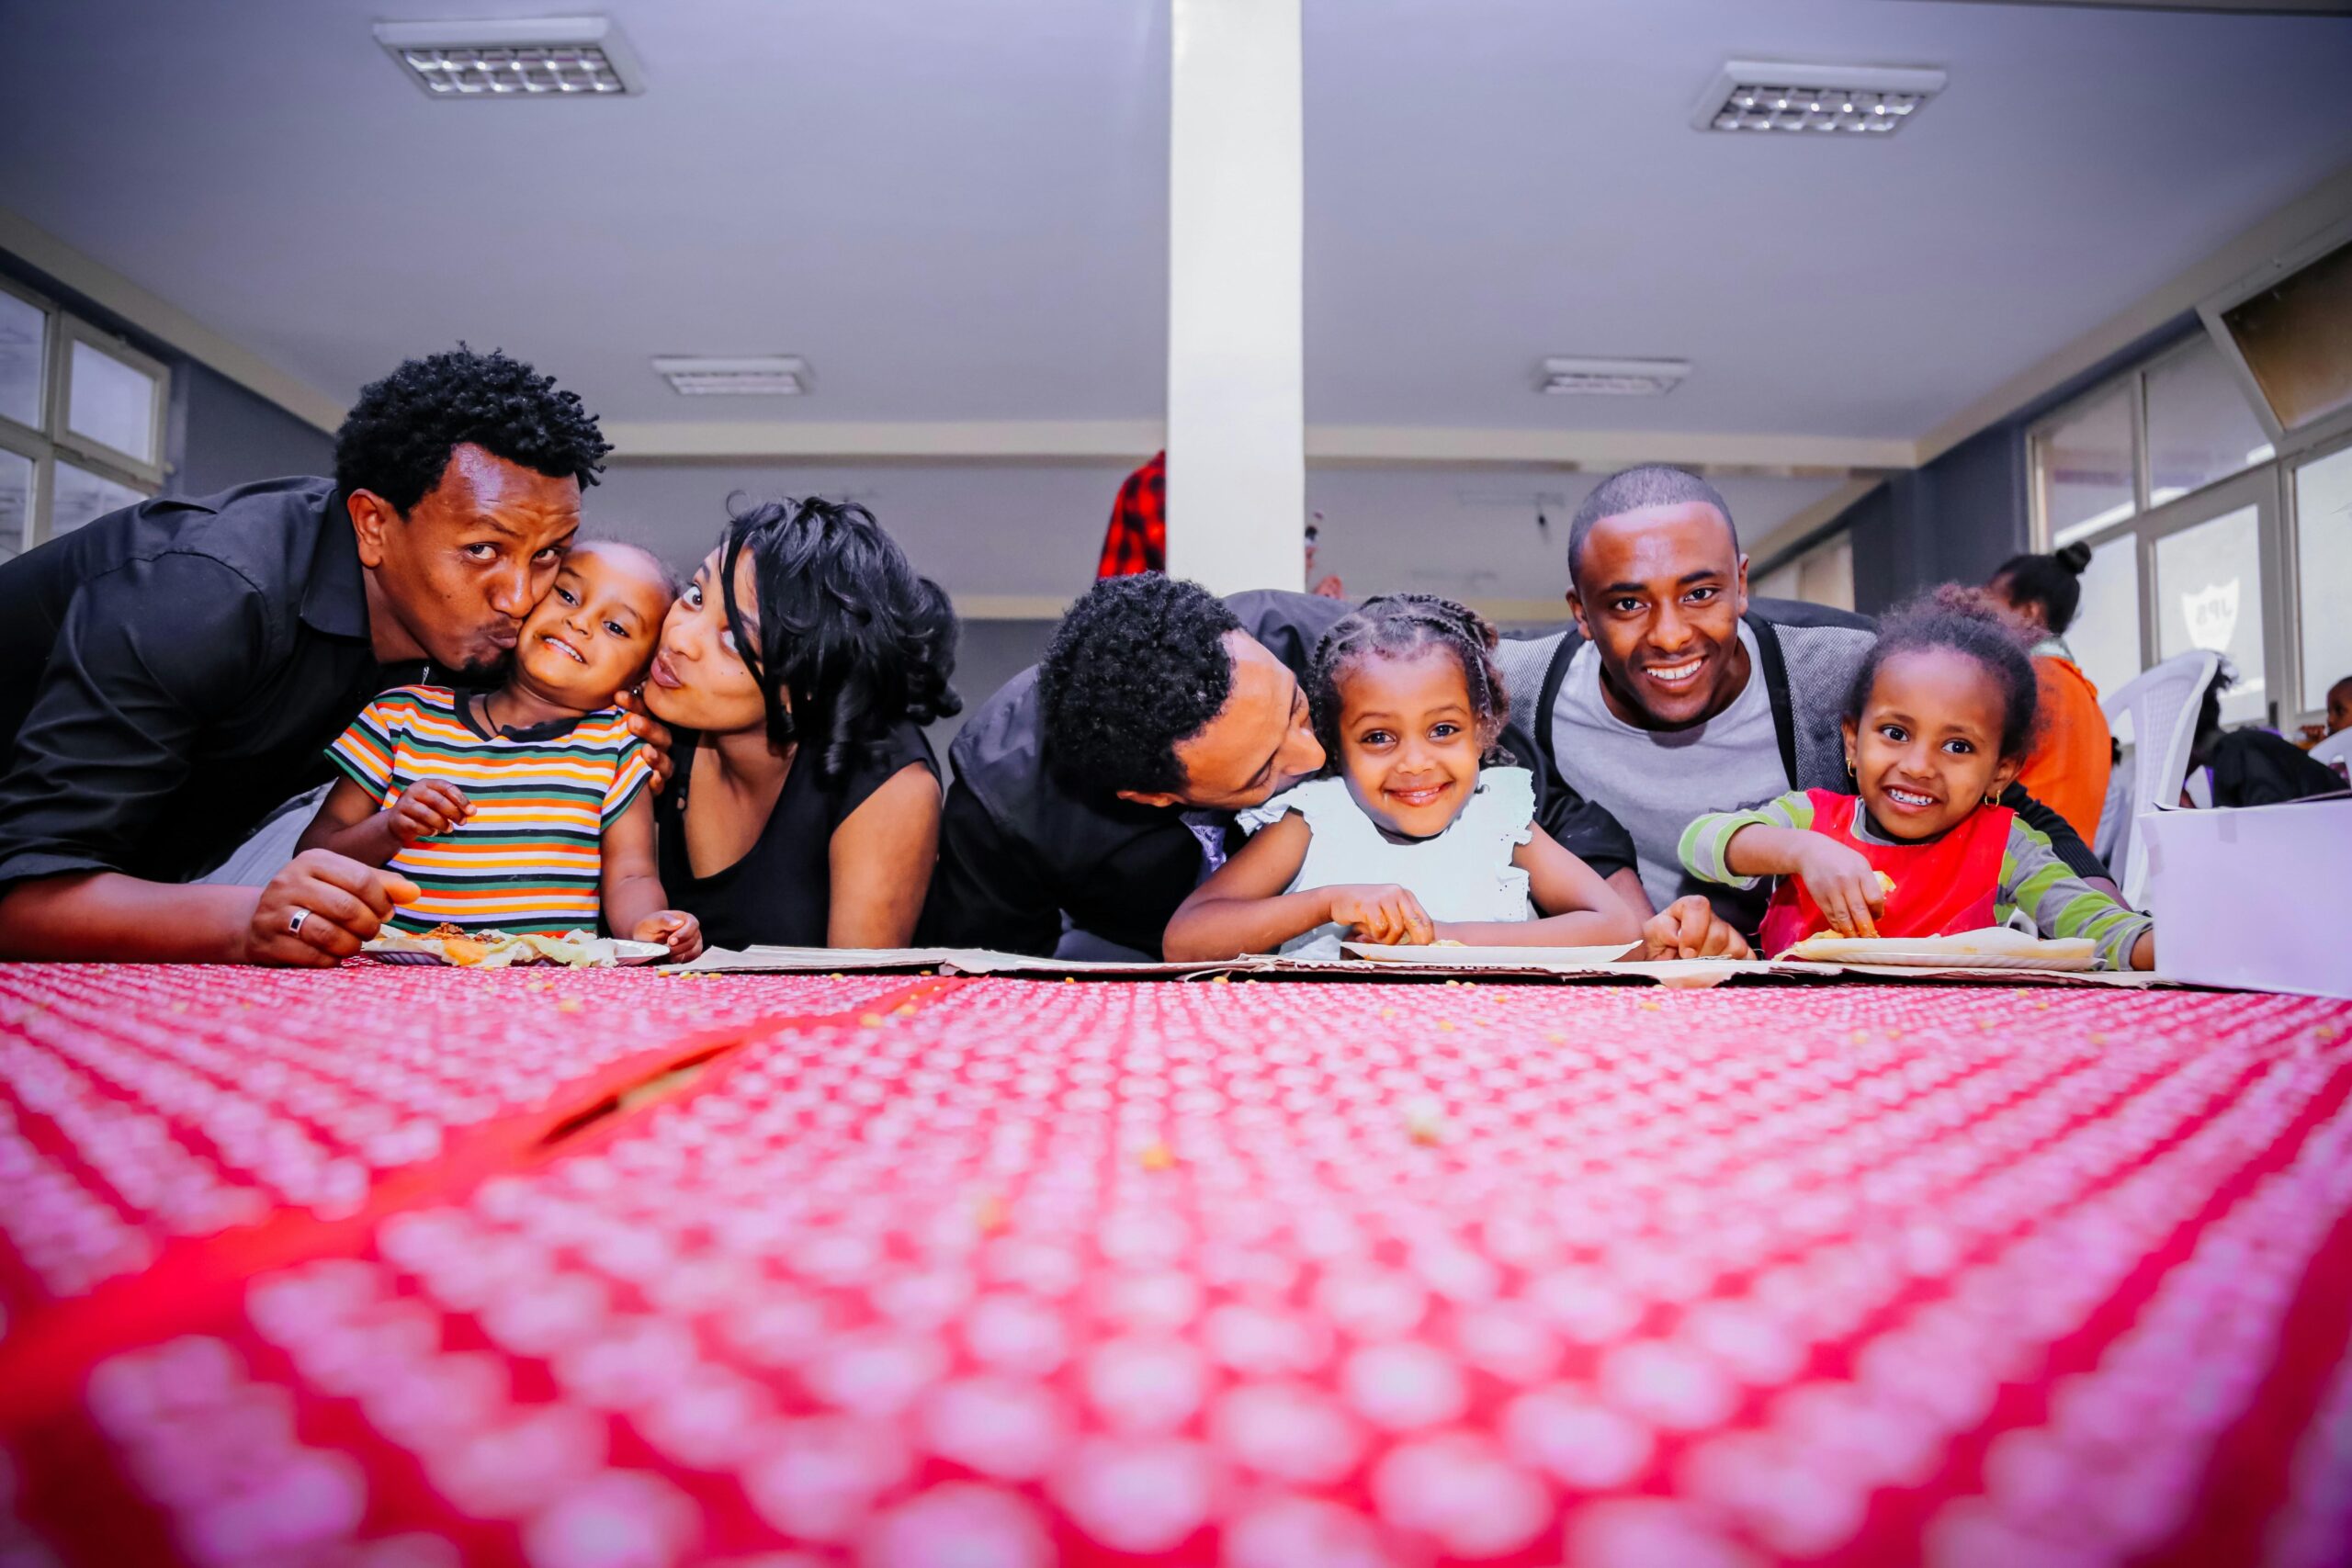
<point>457,575</point>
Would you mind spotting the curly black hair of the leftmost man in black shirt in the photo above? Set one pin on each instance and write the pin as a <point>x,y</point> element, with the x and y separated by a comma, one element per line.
<point>399,438</point>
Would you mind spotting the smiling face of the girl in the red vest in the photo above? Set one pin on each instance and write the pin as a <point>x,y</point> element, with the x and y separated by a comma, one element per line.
<point>1930,744</point>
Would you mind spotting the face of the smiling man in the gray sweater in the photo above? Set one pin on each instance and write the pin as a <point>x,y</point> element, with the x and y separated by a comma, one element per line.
<point>1662,594</point>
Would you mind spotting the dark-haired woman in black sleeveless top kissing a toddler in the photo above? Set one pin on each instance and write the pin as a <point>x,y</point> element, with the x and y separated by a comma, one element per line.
<point>799,671</point>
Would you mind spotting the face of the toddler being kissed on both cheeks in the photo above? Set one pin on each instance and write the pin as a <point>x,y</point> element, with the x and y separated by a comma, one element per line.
<point>596,629</point>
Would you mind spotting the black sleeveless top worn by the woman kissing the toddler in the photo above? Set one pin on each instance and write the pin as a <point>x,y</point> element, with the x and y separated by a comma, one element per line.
<point>782,890</point>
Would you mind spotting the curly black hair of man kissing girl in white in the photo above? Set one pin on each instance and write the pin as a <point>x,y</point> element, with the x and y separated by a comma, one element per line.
<point>1137,666</point>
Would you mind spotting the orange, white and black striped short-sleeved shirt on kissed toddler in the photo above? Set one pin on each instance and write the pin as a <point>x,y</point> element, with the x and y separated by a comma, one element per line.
<point>530,857</point>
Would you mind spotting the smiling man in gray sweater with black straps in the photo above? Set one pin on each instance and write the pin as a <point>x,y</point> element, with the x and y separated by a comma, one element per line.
<point>1676,695</point>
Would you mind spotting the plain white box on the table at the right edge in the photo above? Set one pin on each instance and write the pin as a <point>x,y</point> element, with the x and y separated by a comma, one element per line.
<point>2257,897</point>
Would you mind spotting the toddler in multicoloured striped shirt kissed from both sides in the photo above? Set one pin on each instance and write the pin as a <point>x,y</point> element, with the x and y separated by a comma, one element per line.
<point>523,810</point>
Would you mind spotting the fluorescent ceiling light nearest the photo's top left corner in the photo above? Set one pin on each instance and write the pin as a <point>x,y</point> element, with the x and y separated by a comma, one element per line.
<point>537,58</point>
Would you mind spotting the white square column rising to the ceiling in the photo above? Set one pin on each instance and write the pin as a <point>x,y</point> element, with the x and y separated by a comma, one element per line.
<point>1236,476</point>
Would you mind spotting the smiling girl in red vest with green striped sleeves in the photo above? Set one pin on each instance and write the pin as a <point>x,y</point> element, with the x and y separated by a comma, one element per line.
<point>1939,723</point>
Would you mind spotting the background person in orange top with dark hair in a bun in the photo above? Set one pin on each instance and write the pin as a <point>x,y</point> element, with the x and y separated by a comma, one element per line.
<point>2073,749</point>
